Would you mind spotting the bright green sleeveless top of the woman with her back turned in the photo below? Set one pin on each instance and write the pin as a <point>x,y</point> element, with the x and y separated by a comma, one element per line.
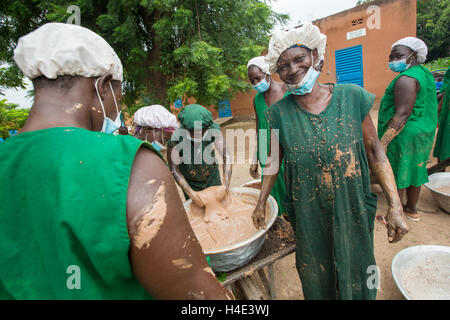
<point>63,226</point>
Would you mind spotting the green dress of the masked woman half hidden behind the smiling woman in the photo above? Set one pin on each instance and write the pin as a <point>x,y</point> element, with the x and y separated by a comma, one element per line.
<point>278,190</point>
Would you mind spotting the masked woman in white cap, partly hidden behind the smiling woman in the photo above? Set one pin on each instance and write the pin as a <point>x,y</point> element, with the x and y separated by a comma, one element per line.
<point>269,92</point>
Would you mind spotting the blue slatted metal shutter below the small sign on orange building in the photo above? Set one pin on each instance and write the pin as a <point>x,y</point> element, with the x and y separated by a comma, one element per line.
<point>349,65</point>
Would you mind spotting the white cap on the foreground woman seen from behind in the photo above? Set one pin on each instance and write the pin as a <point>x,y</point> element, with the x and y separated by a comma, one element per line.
<point>59,49</point>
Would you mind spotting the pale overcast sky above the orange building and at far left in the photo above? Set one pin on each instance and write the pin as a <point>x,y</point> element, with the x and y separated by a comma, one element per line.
<point>298,10</point>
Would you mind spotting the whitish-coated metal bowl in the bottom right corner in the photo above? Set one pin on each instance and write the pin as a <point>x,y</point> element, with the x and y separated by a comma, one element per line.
<point>423,272</point>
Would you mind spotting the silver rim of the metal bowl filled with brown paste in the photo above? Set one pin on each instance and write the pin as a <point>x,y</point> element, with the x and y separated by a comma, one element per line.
<point>257,235</point>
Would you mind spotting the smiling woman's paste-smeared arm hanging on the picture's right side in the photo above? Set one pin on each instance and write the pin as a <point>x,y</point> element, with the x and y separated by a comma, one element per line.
<point>380,166</point>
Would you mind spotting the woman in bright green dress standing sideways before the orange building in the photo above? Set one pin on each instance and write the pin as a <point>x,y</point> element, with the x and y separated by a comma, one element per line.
<point>407,120</point>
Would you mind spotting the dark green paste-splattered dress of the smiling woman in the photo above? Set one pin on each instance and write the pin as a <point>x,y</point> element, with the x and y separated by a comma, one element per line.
<point>329,201</point>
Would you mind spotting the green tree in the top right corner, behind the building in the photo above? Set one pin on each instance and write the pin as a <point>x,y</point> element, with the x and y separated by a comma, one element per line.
<point>433,21</point>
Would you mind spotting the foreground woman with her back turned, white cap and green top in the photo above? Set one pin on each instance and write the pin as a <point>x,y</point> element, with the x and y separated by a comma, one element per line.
<point>86,214</point>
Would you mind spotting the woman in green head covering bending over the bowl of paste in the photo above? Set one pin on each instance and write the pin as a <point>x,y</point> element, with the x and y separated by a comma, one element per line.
<point>191,155</point>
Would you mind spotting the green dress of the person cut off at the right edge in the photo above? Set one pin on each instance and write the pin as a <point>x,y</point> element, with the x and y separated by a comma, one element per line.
<point>442,147</point>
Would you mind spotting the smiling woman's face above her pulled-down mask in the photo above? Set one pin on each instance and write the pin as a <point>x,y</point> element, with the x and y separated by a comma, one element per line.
<point>294,63</point>
